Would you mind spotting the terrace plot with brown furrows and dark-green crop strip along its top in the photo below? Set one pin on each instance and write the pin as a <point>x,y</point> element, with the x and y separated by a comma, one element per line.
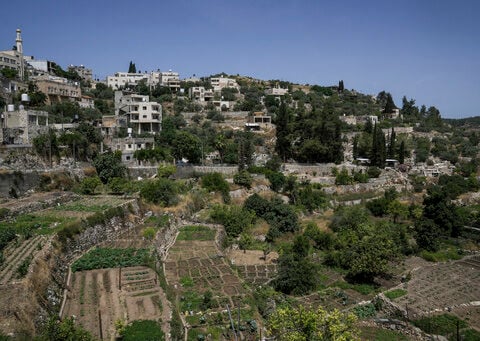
<point>109,286</point>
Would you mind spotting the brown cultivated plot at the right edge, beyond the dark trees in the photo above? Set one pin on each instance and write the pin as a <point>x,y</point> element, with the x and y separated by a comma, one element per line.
<point>452,286</point>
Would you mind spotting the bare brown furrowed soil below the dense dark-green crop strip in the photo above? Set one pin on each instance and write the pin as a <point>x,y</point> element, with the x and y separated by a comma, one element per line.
<point>99,298</point>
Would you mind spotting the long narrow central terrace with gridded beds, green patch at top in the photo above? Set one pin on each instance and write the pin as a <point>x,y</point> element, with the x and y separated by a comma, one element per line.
<point>204,284</point>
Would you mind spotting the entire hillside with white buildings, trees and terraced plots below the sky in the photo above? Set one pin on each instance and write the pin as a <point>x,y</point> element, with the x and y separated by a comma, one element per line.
<point>249,200</point>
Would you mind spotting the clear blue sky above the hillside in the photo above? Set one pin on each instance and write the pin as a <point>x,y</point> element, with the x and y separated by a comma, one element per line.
<point>428,50</point>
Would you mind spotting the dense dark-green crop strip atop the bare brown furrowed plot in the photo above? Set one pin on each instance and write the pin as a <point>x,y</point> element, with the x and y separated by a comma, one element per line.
<point>102,258</point>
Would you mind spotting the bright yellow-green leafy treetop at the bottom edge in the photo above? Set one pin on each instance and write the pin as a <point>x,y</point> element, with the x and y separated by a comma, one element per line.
<point>302,324</point>
